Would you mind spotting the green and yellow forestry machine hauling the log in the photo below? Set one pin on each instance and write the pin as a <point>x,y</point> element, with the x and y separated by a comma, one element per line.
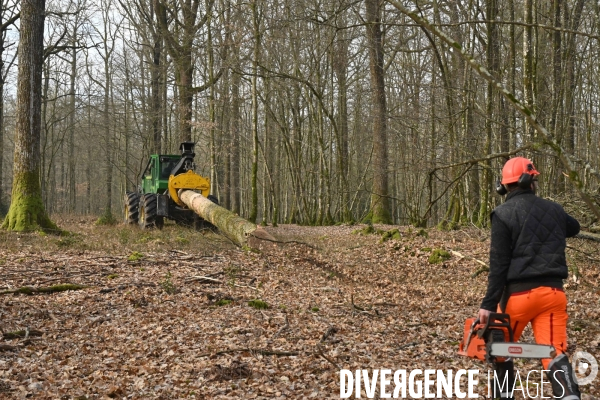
<point>157,197</point>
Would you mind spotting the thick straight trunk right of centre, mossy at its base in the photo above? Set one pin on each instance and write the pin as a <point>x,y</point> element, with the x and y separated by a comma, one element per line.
<point>380,203</point>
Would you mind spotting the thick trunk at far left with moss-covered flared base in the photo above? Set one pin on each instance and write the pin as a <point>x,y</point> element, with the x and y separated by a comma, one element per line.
<point>27,209</point>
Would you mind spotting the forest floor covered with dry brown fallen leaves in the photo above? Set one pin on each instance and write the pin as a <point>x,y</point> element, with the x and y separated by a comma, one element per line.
<point>168,315</point>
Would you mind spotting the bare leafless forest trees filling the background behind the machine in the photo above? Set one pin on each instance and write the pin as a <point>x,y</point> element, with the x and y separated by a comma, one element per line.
<point>309,111</point>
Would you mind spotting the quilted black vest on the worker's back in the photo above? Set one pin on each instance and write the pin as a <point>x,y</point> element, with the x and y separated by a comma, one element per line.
<point>538,228</point>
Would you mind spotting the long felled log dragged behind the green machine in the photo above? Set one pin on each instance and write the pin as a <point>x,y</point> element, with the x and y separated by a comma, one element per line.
<point>237,229</point>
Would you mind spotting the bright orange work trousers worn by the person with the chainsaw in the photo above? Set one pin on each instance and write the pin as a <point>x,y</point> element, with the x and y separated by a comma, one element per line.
<point>546,309</point>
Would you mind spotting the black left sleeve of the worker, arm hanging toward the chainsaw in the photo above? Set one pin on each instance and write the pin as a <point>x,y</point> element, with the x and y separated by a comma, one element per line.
<point>500,256</point>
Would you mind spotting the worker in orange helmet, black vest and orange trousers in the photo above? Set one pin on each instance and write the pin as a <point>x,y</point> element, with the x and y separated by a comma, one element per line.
<point>527,268</point>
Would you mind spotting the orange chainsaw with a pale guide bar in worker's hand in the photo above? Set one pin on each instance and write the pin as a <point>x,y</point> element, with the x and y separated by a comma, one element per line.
<point>493,341</point>
